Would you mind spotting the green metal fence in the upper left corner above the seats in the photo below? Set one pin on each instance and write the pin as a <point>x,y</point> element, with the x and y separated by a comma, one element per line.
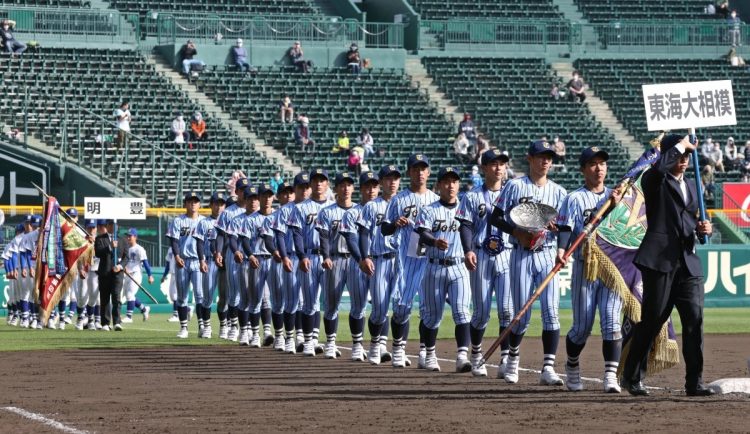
<point>73,25</point>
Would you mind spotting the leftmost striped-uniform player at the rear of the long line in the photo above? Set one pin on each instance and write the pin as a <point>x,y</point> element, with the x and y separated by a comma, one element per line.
<point>187,271</point>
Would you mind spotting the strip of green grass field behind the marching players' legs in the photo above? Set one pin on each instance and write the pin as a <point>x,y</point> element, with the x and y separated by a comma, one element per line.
<point>157,332</point>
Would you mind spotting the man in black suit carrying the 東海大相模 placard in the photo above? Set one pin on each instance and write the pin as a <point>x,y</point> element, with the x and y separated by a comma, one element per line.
<point>672,272</point>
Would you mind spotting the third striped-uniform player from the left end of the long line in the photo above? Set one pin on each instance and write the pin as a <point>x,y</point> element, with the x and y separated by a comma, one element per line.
<point>227,270</point>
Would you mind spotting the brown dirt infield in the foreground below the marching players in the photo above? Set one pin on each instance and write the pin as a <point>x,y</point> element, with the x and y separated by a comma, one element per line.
<point>233,389</point>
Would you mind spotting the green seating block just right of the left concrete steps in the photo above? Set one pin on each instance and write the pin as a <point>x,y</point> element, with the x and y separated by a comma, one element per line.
<point>398,116</point>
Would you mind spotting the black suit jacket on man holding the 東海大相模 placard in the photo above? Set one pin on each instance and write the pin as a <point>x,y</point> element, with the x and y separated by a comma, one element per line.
<point>671,235</point>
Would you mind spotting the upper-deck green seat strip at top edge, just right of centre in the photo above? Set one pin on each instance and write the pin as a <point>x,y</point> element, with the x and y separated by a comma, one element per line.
<point>485,9</point>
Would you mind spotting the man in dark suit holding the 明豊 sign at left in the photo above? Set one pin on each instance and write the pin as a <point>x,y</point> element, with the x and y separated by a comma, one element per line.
<point>110,277</point>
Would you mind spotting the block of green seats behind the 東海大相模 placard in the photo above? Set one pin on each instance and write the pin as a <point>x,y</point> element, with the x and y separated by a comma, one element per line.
<point>618,81</point>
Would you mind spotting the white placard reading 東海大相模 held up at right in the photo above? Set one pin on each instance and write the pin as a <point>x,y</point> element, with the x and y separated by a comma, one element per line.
<point>696,104</point>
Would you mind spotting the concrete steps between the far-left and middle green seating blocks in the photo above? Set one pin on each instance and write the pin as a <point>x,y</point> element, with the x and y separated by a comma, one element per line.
<point>216,111</point>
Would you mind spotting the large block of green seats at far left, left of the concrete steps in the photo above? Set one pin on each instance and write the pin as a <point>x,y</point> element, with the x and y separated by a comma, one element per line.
<point>98,80</point>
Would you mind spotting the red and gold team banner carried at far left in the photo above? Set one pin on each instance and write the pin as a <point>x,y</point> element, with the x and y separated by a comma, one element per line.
<point>61,245</point>
